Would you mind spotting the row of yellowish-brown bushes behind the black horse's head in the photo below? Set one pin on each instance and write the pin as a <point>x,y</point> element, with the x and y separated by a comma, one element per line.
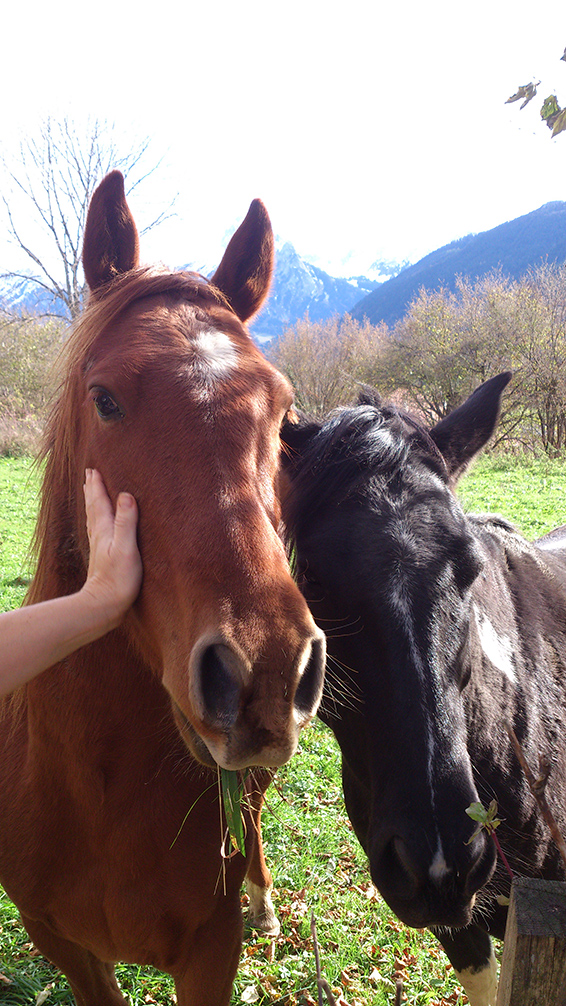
<point>447,345</point>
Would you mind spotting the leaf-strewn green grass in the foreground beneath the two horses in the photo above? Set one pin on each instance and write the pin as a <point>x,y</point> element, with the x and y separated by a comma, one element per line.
<point>318,867</point>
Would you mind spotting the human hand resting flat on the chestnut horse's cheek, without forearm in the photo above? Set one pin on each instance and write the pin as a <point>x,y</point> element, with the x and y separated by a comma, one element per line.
<point>115,564</point>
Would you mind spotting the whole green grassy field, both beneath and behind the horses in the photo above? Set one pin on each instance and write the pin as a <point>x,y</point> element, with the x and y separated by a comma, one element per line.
<point>316,861</point>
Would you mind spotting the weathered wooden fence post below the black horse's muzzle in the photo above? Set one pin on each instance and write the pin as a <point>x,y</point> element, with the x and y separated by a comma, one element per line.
<point>534,959</point>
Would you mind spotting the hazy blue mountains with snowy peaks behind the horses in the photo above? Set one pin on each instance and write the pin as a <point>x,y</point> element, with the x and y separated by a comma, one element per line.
<point>300,286</point>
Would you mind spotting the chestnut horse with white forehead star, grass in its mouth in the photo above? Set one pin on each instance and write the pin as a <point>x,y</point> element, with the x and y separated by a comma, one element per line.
<point>112,833</point>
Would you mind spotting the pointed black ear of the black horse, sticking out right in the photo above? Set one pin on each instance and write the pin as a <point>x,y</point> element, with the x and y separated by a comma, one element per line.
<point>463,434</point>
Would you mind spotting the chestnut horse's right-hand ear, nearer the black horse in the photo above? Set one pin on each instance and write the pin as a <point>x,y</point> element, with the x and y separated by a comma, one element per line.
<point>245,275</point>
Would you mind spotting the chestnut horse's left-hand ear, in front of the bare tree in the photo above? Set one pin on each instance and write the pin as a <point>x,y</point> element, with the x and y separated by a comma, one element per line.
<point>111,244</point>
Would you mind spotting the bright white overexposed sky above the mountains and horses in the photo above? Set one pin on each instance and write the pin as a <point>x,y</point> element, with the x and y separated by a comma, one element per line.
<point>370,130</point>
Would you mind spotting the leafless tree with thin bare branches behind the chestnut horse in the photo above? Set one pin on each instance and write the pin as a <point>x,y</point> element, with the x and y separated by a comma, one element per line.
<point>50,185</point>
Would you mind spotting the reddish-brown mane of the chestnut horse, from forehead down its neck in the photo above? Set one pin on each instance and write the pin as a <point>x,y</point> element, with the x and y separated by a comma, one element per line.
<point>53,531</point>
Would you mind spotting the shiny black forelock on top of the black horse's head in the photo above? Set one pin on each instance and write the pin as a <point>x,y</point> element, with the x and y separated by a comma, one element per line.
<point>351,445</point>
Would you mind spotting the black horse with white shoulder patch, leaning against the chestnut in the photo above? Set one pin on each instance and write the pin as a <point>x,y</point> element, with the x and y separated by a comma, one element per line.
<point>441,628</point>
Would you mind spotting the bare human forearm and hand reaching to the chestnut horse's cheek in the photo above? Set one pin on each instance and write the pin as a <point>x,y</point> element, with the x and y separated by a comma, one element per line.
<point>38,636</point>
